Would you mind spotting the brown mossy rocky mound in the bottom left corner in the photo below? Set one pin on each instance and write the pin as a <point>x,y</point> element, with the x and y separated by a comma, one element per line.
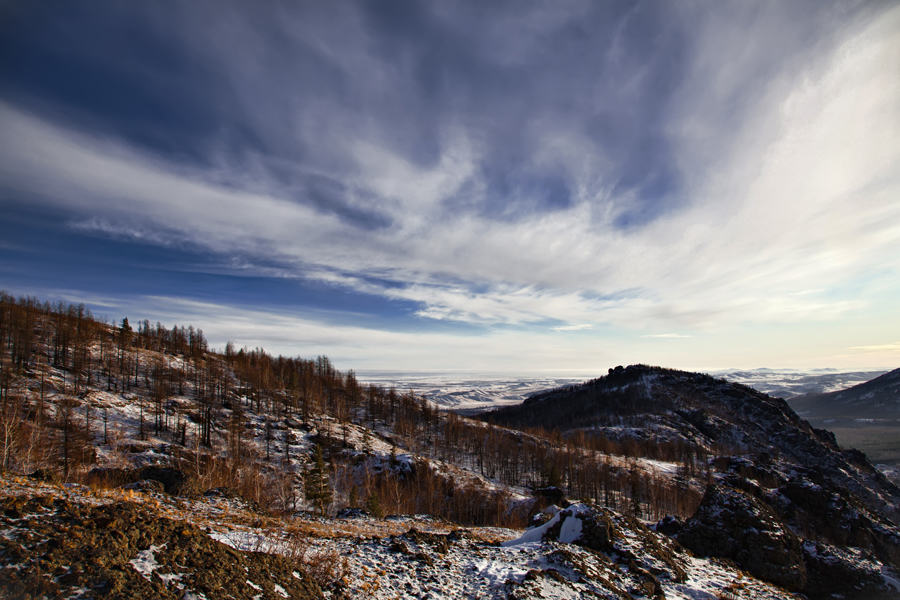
<point>124,550</point>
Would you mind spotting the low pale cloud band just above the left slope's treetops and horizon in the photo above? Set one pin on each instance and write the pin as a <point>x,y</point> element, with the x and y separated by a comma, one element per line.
<point>281,332</point>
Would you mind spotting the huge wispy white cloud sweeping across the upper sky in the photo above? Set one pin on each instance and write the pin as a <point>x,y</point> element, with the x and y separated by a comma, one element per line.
<point>482,169</point>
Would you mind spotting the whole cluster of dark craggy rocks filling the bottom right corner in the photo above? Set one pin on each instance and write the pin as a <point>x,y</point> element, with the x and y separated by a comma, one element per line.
<point>751,528</point>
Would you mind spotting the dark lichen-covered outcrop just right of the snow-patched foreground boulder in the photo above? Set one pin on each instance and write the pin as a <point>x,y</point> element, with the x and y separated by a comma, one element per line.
<point>732,524</point>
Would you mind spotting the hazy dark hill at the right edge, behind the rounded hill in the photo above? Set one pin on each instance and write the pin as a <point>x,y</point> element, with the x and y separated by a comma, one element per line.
<point>876,399</point>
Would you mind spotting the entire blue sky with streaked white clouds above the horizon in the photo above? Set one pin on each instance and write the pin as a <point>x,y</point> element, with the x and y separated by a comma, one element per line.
<point>493,186</point>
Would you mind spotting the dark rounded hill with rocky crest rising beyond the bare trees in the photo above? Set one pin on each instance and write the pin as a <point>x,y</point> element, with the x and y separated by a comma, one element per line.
<point>679,411</point>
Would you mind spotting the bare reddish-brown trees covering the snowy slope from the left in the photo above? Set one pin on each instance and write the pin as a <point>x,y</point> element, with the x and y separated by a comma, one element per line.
<point>211,405</point>
